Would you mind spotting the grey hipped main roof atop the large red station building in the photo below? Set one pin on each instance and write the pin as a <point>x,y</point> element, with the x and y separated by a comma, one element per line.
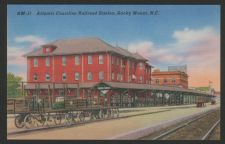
<point>82,45</point>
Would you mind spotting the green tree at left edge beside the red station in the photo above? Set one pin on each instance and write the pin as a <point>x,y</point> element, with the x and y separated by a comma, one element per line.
<point>13,85</point>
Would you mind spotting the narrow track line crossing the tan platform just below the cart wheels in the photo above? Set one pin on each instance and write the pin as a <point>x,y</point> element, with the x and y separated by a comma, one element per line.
<point>78,124</point>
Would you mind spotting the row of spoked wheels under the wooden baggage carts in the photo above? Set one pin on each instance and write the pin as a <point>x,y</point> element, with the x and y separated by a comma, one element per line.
<point>64,117</point>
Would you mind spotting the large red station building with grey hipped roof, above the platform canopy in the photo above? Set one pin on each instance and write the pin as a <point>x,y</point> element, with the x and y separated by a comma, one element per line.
<point>85,61</point>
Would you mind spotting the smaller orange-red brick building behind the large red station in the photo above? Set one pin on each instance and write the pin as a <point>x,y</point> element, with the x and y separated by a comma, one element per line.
<point>170,78</point>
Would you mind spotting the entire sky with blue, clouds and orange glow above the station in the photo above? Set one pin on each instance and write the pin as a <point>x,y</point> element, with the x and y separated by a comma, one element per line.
<point>176,35</point>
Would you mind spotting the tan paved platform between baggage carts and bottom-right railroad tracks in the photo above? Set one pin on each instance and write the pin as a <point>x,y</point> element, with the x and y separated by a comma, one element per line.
<point>112,128</point>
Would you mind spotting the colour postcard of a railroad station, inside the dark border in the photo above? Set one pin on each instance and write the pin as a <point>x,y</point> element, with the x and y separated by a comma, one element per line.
<point>111,72</point>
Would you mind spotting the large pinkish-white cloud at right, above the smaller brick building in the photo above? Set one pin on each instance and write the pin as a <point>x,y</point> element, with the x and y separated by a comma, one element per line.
<point>190,45</point>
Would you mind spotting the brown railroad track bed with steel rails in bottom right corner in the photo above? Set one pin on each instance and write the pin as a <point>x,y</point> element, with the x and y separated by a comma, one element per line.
<point>191,129</point>
